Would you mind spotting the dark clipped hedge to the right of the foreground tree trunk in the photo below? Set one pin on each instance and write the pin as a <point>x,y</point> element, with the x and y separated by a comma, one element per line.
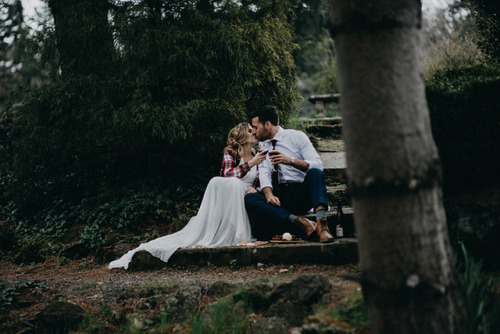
<point>464,105</point>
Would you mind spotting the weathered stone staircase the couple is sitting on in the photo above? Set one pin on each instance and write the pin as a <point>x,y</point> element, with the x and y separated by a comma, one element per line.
<point>341,251</point>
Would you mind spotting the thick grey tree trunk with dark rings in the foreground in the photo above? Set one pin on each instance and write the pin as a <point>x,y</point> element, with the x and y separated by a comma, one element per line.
<point>394,174</point>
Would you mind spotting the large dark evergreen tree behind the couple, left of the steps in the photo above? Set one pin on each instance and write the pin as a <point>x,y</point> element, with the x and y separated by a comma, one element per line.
<point>158,105</point>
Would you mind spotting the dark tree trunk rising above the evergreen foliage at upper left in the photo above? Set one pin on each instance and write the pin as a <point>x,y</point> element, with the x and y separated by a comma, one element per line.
<point>83,36</point>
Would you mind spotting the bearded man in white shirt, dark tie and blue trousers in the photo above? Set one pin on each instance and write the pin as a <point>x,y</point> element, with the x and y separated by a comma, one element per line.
<point>291,179</point>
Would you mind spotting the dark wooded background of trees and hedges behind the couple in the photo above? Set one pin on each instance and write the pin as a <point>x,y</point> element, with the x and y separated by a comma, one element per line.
<point>113,114</point>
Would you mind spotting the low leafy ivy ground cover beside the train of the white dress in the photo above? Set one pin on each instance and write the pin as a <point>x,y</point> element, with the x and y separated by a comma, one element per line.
<point>133,208</point>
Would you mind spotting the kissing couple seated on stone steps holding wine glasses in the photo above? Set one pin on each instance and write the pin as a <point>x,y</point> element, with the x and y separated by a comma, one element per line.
<point>257,194</point>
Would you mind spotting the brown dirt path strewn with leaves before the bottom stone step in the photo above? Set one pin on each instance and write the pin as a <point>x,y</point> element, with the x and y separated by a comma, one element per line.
<point>92,286</point>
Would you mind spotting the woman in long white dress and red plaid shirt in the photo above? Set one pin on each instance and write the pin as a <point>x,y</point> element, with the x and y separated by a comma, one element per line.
<point>222,219</point>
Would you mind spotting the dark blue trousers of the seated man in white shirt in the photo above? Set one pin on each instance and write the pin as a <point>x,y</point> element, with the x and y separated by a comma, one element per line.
<point>297,198</point>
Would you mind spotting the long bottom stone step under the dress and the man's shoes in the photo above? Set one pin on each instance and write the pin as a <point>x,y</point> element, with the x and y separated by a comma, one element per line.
<point>341,251</point>
